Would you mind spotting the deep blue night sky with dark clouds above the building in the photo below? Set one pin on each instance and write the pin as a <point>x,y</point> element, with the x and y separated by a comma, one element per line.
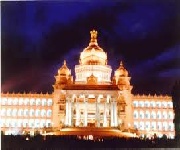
<point>37,36</point>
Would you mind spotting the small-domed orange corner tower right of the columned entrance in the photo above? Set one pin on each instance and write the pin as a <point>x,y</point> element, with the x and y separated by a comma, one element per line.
<point>124,101</point>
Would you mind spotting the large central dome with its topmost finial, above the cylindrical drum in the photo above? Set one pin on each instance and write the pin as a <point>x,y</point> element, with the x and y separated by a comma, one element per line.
<point>93,54</point>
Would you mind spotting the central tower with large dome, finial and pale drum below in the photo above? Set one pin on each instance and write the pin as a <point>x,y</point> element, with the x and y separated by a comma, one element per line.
<point>93,63</point>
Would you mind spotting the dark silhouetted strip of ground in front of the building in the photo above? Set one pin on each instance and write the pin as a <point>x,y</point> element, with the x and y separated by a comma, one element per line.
<point>72,142</point>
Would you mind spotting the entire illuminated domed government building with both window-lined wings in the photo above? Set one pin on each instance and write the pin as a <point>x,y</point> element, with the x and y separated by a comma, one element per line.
<point>98,98</point>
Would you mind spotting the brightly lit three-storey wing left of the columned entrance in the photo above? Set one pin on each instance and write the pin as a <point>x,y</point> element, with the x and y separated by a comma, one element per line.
<point>28,112</point>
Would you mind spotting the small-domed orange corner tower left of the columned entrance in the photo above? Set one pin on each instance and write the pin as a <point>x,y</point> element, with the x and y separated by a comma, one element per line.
<point>63,78</point>
